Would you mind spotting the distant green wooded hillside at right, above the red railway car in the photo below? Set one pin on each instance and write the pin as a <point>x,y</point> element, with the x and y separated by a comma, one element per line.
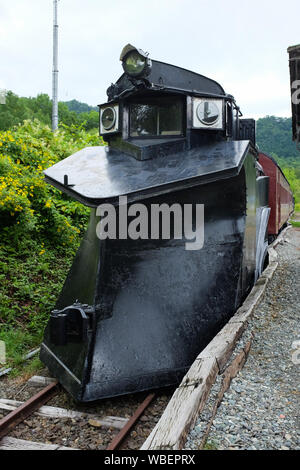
<point>274,135</point>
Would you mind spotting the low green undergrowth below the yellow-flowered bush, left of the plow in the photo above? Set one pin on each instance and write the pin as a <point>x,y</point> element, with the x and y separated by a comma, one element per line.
<point>29,287</point>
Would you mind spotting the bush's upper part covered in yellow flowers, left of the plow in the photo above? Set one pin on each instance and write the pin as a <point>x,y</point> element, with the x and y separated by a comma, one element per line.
<point>28,206</point>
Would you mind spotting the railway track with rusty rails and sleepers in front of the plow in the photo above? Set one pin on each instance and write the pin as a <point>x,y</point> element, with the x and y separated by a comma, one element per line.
<point>30,424</point>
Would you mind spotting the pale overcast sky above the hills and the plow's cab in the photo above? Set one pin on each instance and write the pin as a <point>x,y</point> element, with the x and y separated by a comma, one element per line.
<point>239,43</point>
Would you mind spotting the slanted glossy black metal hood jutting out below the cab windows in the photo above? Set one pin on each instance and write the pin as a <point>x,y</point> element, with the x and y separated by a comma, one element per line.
<point>99,176</point>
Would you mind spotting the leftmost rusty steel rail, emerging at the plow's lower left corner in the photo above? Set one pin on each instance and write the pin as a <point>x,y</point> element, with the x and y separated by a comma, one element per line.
<point>27,408</point>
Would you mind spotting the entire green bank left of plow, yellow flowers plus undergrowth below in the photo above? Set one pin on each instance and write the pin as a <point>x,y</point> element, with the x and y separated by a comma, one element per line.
<point>40,228</point>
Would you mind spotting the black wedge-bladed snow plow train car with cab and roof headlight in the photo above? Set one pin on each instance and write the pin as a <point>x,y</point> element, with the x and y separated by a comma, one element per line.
<point>134,313</point>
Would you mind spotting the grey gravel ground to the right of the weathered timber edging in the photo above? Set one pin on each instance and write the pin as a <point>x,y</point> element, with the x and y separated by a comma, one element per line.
<point>260,410</point>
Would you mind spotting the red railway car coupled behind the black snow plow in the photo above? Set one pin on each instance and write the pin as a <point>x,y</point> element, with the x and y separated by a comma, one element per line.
<point>281,199</point>
